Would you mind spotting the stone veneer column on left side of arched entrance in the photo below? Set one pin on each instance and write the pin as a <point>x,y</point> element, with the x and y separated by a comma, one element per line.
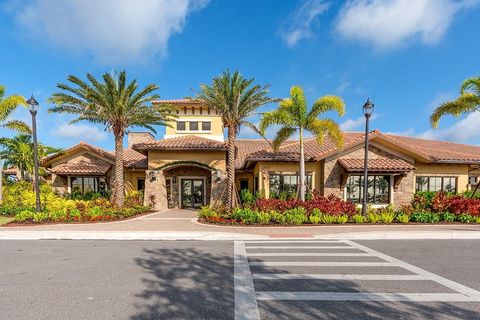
<point>155,186</point>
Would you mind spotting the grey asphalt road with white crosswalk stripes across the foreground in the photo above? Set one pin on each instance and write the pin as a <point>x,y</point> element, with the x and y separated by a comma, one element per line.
<point>195,279</point>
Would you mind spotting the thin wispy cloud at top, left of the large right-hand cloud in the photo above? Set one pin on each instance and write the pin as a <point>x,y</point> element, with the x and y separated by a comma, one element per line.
<point>299,23</point>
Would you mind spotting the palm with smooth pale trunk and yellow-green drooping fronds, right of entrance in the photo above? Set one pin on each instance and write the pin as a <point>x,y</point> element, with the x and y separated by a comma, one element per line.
<point>293,117</point>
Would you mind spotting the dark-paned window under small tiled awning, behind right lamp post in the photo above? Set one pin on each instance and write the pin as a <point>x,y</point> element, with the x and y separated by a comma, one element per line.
<point>378,189</point>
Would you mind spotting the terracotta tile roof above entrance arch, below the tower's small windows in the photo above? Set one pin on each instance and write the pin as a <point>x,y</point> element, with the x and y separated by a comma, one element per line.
<point>183,143</point>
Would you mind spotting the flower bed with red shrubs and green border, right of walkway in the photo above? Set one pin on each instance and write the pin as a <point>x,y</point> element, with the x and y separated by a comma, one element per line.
<point>425,208</point>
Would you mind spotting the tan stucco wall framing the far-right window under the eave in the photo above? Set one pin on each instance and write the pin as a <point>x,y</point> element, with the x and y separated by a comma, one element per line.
<point>447,170</point>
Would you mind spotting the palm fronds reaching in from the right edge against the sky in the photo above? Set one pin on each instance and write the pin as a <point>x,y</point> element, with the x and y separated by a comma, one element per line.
<point>468,101</point>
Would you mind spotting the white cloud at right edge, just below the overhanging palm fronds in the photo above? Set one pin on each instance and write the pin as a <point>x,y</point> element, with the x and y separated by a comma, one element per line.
<point>464,130</point>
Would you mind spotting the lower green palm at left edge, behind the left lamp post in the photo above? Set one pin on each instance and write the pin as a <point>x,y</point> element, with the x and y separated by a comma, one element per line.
<point>18,152</point>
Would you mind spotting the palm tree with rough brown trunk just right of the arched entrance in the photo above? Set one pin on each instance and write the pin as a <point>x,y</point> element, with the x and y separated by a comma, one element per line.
<point>236,99</point>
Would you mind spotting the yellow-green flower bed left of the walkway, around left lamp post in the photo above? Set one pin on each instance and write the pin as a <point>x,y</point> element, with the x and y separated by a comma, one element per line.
<point>19,202</point>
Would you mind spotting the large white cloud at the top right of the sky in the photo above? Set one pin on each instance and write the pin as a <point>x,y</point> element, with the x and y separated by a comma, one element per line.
<point>391,23</point>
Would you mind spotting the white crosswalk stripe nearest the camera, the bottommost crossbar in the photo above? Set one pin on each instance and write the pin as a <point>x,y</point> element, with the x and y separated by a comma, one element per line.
<point>363,296</point>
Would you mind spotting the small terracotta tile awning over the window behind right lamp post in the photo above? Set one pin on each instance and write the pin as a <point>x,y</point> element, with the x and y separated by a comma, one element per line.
<point>376,165</point>
